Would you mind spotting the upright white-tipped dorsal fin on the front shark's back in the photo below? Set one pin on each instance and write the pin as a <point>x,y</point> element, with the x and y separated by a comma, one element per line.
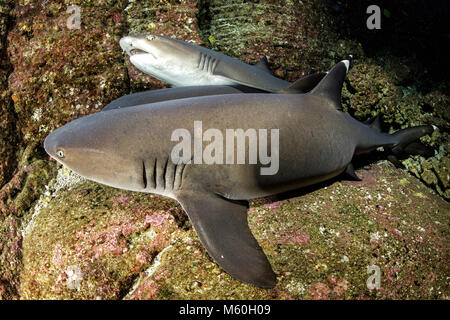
<point>330,86</point>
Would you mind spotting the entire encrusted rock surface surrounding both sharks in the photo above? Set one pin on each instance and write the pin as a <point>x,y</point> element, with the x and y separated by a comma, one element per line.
<point>83,240</point>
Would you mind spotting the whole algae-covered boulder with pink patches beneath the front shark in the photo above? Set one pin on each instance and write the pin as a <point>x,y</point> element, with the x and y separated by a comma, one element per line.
<point>87,241</point>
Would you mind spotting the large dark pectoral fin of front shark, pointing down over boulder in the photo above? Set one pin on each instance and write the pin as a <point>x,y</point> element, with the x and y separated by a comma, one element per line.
<point>222,227</point>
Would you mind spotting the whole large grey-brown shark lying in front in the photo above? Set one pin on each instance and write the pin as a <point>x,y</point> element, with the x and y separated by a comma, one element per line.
<point>130,148</point>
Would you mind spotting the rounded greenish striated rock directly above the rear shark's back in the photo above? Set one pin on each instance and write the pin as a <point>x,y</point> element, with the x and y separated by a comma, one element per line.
<point>284,30</point>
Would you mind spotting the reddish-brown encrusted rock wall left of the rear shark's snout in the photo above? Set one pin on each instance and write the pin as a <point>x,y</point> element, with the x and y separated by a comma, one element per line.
<point>40,38</point>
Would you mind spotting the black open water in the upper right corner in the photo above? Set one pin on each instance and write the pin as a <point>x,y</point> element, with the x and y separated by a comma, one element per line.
<point>416,28</point>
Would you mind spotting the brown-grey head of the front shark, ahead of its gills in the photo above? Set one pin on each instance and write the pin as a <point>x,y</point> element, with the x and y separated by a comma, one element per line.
<point>89,149</point>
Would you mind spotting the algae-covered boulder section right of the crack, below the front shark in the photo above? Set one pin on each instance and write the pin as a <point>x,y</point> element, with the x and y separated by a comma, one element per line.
<point>321,245</point>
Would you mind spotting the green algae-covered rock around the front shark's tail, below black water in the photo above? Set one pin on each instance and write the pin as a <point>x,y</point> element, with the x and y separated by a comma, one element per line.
<point>370,91</point>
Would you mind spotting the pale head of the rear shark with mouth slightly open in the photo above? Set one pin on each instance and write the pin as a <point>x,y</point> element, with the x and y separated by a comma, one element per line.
<point>173,61</point>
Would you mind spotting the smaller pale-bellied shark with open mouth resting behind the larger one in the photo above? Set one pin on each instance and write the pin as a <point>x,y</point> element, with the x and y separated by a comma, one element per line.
<point>166,58</point>
